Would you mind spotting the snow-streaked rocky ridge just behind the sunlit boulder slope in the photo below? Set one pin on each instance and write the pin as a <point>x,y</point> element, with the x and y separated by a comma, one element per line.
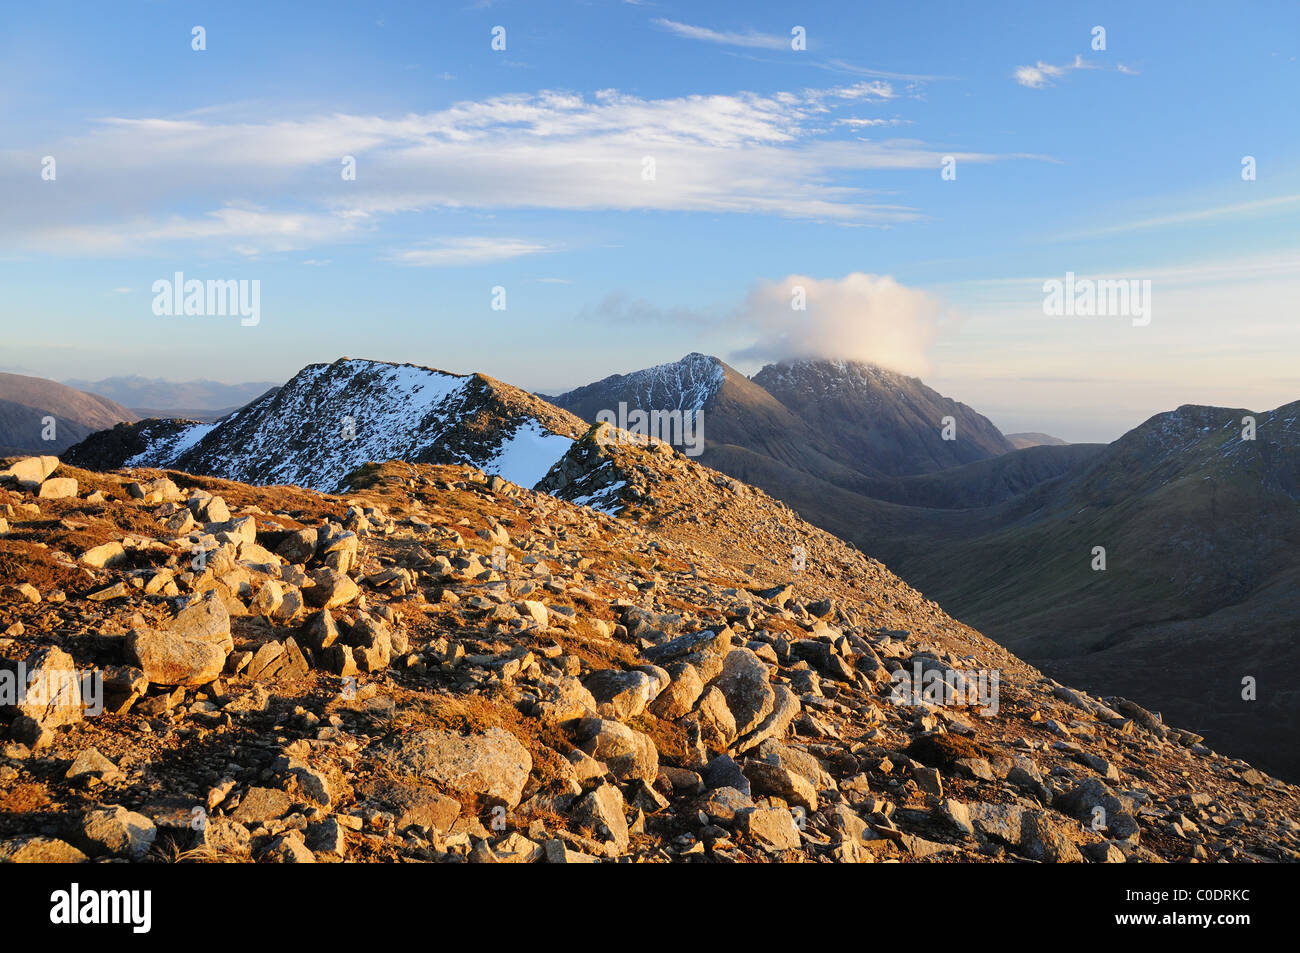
<point>333,418</point>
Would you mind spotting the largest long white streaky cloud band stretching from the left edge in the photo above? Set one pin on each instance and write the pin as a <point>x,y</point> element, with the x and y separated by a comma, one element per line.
<point>271,185</point>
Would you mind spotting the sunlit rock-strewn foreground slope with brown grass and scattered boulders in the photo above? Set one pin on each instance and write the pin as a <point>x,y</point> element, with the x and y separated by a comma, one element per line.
<point>649,662</point>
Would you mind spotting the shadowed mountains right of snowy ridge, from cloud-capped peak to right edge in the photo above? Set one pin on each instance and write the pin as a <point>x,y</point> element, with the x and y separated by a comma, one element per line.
<point>1202,530</point>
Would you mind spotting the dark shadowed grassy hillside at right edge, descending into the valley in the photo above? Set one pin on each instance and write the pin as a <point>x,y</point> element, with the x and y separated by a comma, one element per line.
<point>1202,539</point>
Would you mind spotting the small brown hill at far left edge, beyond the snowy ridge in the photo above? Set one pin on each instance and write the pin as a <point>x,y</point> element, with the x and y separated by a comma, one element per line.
<point>28,402</point>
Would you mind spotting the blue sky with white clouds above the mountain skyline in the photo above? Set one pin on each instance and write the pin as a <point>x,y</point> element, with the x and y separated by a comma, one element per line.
<point>774,168</point>
